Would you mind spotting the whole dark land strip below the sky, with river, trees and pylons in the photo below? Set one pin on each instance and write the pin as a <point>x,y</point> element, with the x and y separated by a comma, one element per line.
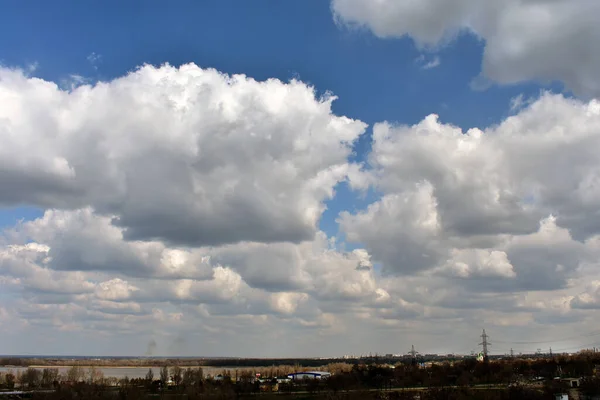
<point>542,375</point>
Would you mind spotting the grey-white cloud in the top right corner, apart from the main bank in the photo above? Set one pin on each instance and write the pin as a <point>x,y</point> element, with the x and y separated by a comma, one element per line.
<point>543,40</point>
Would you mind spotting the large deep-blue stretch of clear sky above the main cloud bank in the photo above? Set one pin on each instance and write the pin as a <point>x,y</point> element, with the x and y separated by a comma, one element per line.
<point>261,39</point>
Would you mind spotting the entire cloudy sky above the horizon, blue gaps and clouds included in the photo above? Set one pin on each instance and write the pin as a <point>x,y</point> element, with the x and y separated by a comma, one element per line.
<point>299,179</point>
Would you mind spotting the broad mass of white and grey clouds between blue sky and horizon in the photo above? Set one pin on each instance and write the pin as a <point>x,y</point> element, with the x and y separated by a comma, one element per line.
<point>182,209</point>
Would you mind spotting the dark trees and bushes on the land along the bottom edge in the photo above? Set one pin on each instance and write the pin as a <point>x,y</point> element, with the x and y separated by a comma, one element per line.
<point>467,379</point>
